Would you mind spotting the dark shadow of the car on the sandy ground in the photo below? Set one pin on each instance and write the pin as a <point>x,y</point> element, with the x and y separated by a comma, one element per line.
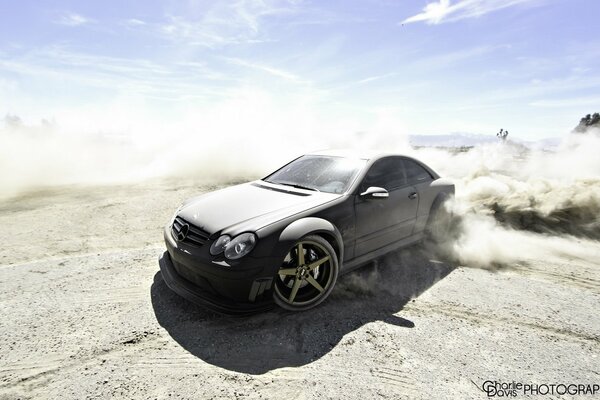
<point>275,339</point>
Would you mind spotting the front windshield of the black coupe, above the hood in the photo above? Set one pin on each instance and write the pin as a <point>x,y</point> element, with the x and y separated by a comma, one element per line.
<point>322,173</point>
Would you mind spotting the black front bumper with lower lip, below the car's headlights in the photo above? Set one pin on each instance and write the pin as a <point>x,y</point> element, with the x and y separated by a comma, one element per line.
<point>191,272</point>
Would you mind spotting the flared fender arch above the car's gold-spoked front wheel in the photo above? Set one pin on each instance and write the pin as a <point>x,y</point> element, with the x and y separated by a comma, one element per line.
<point>312,225</point>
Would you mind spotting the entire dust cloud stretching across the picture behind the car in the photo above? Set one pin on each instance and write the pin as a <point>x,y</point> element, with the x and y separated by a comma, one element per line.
<point>512,202</point>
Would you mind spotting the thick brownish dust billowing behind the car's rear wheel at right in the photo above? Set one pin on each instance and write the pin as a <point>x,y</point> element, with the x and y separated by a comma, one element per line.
<point>515,204</point>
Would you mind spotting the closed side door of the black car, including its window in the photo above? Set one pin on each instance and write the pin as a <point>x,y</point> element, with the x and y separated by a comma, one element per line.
<point>383,221</point>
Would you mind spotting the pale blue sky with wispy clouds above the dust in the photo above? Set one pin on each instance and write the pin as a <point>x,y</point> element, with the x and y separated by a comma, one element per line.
<point>421,66</point>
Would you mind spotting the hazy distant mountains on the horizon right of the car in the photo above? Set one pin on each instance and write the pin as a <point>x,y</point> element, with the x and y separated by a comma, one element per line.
<point>463,139</point>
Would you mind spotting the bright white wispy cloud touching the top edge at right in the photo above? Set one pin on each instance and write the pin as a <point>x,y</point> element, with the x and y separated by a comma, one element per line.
<point>445,11</point>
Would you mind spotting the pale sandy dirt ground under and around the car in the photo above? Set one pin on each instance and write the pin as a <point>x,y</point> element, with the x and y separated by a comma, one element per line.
<point>84,313</point>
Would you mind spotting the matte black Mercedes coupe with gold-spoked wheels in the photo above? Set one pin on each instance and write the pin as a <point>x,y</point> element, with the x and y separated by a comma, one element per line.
<point>287,237</point>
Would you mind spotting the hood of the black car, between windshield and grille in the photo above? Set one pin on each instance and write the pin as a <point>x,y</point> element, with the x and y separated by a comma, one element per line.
<point>249,206</point>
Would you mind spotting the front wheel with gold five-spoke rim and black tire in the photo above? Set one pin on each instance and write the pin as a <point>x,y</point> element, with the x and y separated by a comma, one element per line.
<point>304,281</point>
